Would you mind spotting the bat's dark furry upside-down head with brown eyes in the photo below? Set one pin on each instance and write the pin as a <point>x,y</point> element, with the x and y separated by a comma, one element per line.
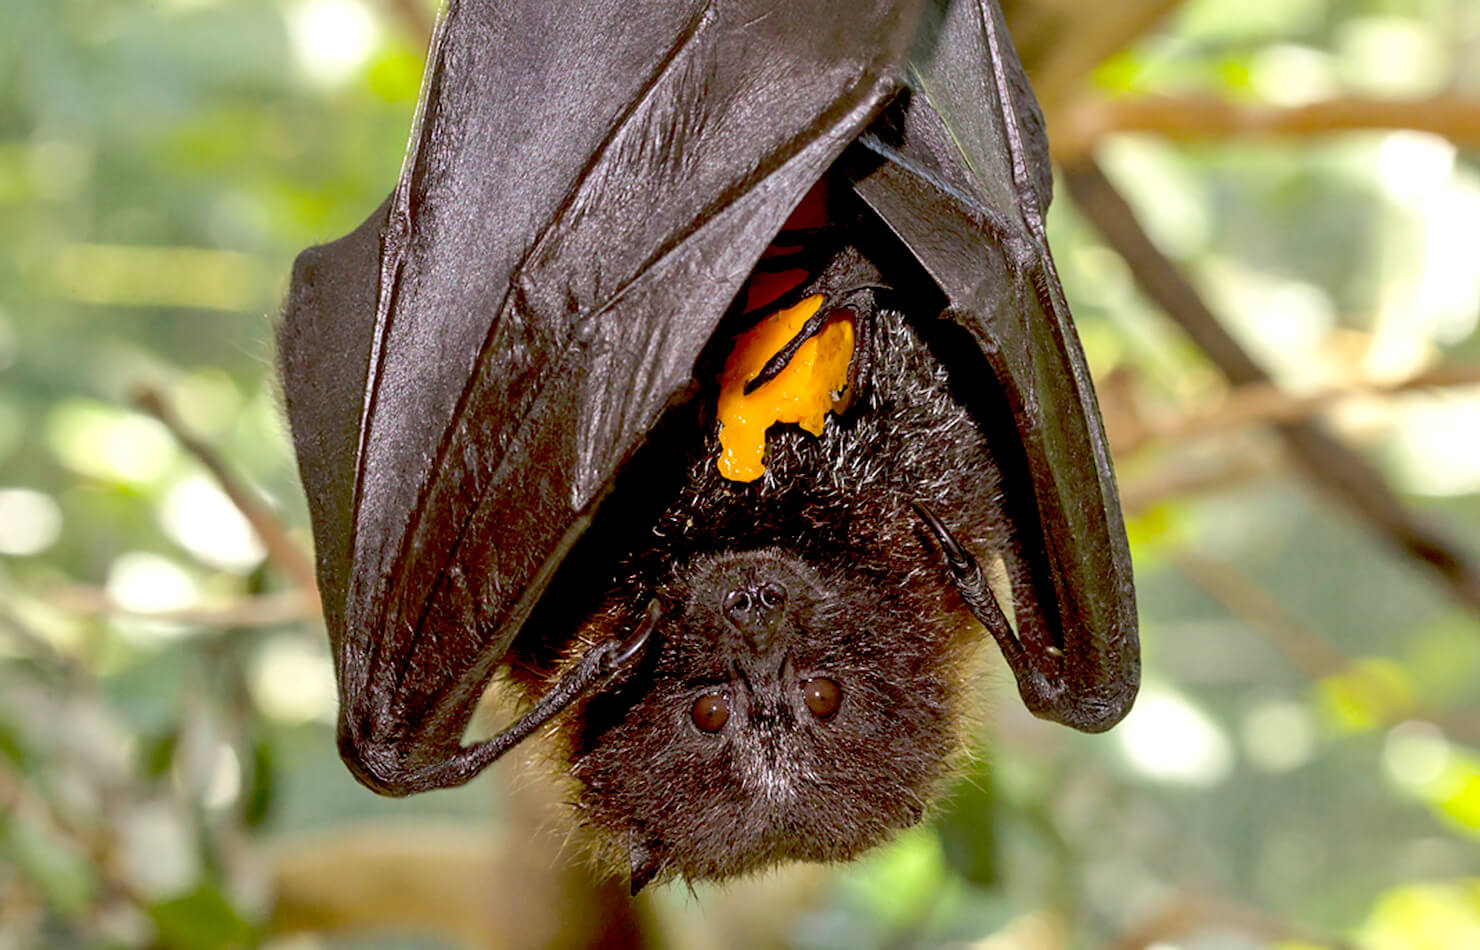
<point>781,717</point>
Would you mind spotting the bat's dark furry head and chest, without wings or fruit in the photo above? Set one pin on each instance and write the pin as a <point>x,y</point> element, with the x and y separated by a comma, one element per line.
<point>807,689</point>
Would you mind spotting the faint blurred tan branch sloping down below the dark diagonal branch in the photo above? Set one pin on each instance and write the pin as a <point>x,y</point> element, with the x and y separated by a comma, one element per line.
<point>1311,652</point>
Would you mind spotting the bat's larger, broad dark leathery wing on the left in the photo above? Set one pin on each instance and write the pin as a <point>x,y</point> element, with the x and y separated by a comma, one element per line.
<point>587,189</point>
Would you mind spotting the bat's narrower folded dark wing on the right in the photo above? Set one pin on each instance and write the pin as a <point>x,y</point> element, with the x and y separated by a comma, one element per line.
<point>964,181</point>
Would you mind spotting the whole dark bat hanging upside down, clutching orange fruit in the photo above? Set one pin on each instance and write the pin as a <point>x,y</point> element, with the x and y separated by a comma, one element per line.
<point>708,380</point>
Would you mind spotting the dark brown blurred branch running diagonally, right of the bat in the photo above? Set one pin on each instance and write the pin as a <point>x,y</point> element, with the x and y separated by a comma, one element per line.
<point>1327,462</point>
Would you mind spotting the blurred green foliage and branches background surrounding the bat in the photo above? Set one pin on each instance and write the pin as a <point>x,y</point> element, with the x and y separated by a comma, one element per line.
<point>1269,226</point>
